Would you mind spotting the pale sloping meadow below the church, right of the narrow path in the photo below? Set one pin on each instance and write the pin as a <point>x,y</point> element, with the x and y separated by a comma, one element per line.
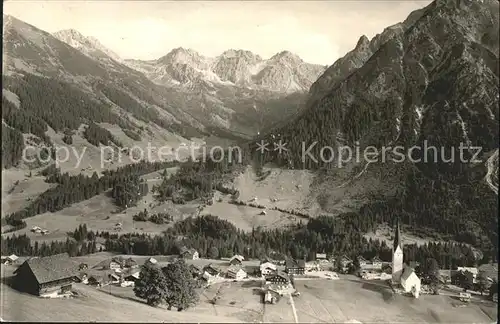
<point>344,300</point>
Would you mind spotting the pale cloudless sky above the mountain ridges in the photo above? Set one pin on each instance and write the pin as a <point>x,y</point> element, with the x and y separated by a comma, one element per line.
<point>317,31</point>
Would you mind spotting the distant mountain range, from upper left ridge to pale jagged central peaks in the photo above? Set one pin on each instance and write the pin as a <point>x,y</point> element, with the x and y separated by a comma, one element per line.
<point>236,94</point>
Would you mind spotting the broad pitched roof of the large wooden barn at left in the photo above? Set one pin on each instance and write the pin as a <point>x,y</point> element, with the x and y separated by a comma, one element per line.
<point>52,268</point>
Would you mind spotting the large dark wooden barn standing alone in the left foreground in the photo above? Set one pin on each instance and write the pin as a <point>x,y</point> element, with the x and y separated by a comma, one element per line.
<point>46,276</point>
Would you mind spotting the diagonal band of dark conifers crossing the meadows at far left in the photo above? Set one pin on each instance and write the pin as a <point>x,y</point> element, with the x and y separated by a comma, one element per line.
<point>72,189</point>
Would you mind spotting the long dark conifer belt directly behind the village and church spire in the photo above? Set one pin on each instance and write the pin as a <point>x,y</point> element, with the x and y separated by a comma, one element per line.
<point>216,238</point>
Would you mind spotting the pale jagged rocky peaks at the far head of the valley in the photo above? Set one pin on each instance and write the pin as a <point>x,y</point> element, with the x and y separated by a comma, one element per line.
<point>283,73</point>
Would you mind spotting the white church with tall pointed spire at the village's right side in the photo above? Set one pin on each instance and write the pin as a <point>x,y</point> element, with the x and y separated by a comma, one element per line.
<point>403,275</point>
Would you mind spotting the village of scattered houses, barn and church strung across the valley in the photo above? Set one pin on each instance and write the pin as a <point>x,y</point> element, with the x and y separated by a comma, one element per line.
<point>274,280</point>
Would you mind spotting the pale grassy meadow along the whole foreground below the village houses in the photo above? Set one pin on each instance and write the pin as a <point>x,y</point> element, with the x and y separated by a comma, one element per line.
<point>323,301</point>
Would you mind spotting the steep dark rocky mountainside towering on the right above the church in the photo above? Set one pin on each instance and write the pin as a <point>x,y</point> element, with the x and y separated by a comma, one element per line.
<point>431,80</point>
